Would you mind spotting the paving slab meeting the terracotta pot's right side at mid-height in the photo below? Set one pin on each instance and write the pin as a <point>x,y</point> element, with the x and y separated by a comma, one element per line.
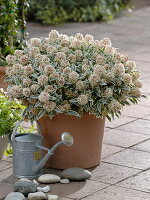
<point>123,138</point>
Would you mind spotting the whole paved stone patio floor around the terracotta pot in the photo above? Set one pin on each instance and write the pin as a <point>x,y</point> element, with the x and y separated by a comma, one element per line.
<point>124,173</point>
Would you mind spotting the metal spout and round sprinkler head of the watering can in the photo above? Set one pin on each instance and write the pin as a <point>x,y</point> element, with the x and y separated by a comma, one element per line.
<point>66,139</point>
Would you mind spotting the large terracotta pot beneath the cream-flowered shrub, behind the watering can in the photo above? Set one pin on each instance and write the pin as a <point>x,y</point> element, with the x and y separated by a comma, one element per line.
<point>88,136</point>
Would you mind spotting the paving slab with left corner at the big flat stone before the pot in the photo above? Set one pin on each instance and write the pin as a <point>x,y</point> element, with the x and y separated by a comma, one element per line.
<point>109,173</point>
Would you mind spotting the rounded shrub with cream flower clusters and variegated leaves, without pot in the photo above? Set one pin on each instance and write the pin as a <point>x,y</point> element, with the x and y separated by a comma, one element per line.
<point>72,75</point>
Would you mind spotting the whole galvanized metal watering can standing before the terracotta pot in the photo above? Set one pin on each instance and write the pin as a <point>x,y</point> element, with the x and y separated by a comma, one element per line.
<point>27,152</point>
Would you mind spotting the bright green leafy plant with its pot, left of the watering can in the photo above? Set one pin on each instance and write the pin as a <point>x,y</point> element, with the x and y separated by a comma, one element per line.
<point>10,112</point>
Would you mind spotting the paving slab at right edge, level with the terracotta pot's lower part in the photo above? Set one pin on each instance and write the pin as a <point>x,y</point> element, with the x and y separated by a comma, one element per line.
<point>130,158</point>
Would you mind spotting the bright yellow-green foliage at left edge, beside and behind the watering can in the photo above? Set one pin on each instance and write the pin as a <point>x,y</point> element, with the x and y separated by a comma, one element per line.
<point>10,113</point>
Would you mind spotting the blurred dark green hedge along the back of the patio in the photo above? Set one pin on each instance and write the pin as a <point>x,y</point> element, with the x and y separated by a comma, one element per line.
<point>57,11</point>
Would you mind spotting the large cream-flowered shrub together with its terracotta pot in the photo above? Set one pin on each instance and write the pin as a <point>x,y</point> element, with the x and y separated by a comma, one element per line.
<point>72,84</point>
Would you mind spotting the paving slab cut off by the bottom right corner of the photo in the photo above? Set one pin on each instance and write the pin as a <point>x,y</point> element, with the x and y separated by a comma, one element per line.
<point>118,193</point>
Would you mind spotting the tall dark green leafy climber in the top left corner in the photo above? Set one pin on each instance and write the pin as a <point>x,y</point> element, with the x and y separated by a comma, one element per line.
<point>12,26</point>
